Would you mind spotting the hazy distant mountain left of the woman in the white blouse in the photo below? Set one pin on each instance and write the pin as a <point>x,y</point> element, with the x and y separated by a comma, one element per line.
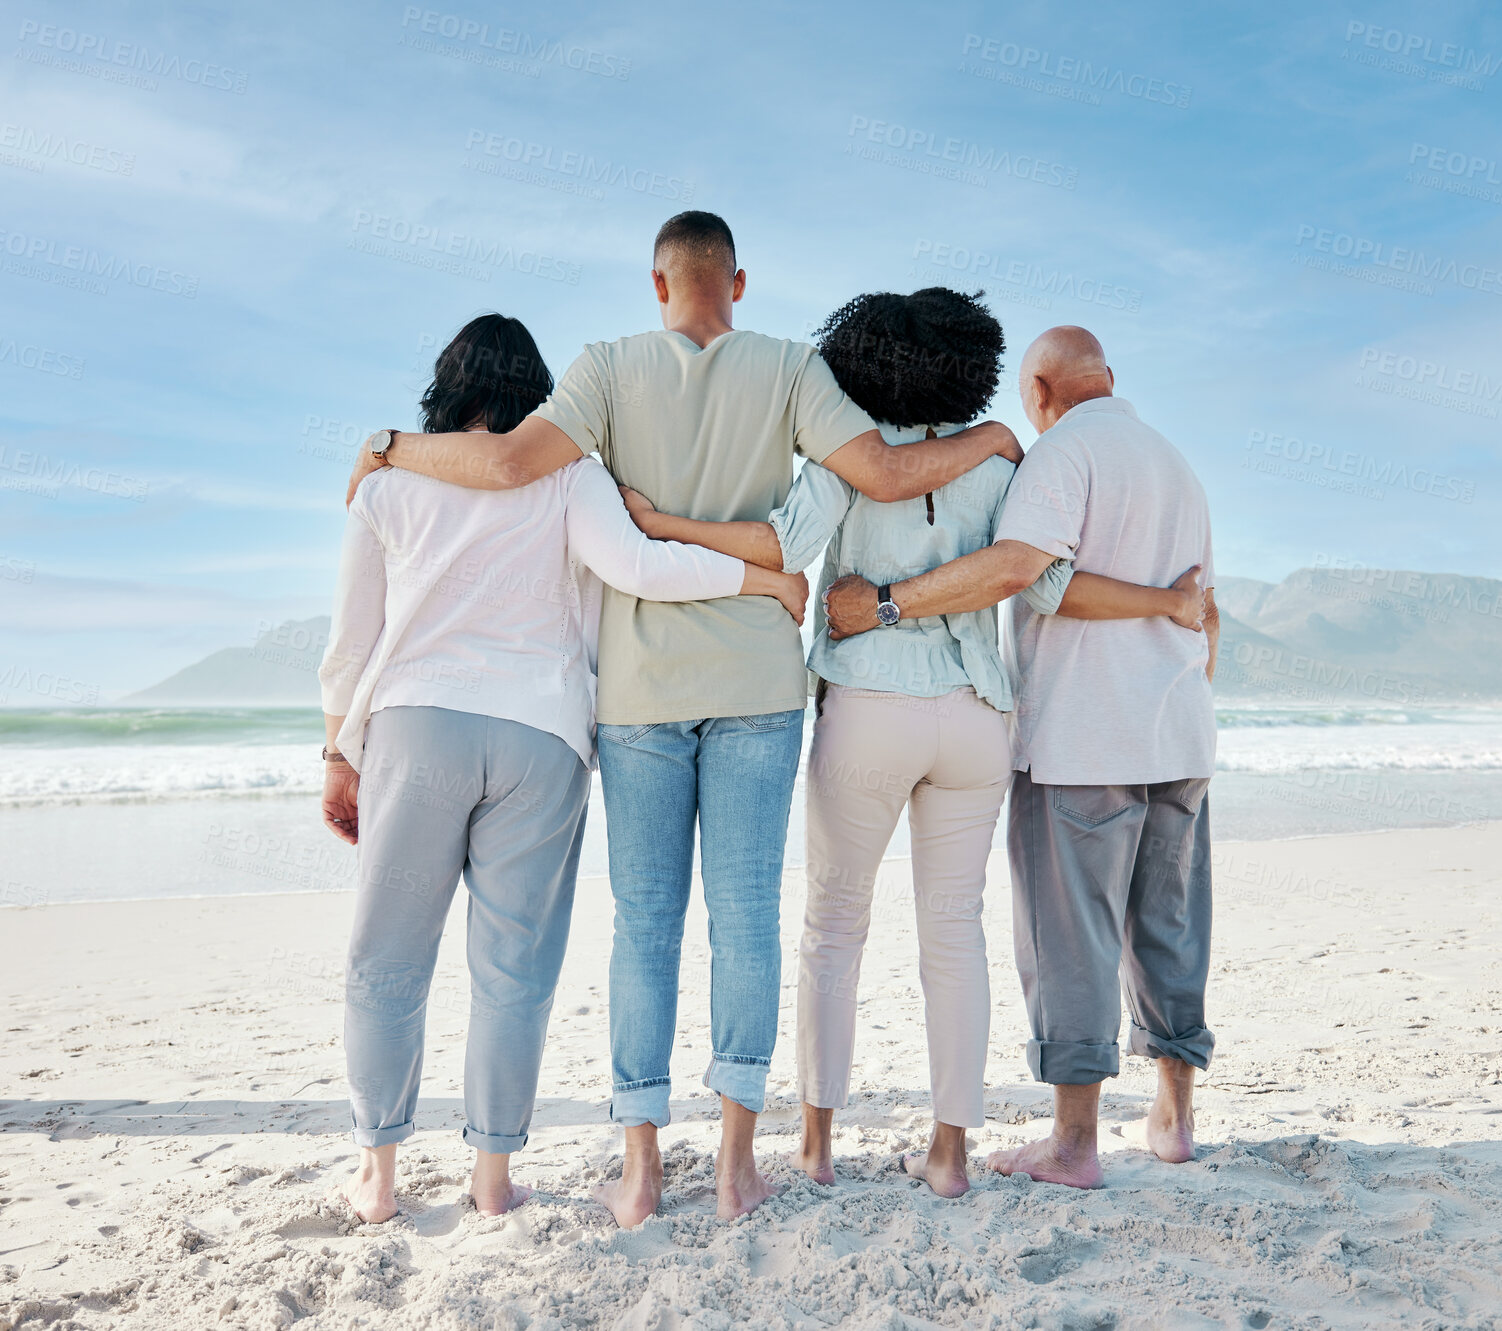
<point>282,669</point>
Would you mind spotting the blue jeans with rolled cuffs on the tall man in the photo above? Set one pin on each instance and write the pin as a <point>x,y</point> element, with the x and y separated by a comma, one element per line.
<point>735,776</point>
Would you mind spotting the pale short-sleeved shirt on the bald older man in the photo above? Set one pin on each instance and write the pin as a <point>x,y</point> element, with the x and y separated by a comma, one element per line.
<point>1127,701</point>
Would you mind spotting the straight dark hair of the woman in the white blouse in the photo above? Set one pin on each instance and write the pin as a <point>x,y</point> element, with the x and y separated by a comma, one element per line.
<point>492,372</point>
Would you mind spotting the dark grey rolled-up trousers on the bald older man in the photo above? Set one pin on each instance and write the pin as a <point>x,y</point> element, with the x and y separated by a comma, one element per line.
<point>1111,893</point>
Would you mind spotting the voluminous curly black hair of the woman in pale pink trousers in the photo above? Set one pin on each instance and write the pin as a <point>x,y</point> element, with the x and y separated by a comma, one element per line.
<point>924,360</point>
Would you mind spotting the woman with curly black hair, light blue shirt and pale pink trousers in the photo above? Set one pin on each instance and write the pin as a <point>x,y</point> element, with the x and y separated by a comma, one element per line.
<point>912,716</point>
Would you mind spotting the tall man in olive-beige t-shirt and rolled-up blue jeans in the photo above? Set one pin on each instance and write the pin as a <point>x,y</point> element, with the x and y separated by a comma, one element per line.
<point>701,705</point>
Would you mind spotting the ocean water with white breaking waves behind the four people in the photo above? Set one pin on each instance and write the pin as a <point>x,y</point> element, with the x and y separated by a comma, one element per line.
<point>146,803</point>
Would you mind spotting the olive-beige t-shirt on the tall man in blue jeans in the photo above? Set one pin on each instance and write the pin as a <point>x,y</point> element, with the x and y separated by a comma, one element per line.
<point>705,433</point>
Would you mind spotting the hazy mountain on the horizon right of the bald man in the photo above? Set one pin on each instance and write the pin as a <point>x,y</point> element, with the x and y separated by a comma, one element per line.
<point>1378,636</point>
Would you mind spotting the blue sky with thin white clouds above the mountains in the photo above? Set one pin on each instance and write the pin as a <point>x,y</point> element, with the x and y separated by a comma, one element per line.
<point>232,241</point>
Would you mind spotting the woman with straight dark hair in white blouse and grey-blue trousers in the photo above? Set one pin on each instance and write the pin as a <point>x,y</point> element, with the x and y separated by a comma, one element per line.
<point>459,690</point>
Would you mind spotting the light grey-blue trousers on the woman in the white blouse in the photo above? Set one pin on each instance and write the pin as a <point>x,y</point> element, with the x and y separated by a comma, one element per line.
<point>445,794</point>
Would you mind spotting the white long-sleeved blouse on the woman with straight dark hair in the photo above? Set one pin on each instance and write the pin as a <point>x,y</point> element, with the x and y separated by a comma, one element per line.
<point>489,600</point>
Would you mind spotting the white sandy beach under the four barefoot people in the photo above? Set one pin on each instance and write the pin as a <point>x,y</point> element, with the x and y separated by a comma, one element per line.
<point>173,1126</point>
